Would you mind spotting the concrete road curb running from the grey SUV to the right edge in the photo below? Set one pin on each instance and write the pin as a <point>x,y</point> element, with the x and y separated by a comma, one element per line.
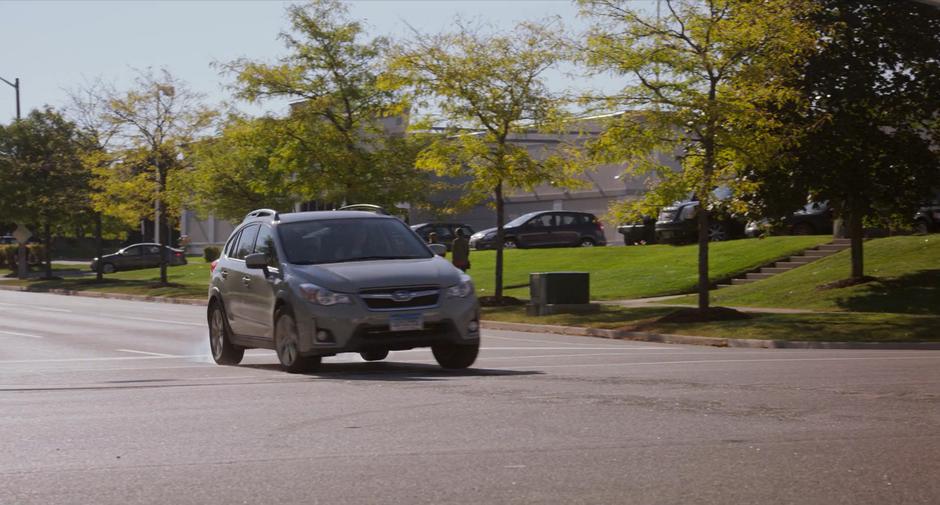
<point>669,338</point>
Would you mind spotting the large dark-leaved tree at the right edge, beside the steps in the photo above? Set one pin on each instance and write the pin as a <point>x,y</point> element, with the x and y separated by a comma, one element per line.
<point>871,143</point>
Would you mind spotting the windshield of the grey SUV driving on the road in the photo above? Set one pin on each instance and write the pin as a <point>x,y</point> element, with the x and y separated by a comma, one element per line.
<point>341,240</point>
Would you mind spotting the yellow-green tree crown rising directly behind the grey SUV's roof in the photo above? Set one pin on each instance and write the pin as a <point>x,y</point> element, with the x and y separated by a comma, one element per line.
<point>344,138</point>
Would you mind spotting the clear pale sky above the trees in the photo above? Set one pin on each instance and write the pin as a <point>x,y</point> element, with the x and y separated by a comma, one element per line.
<point>53,46</point>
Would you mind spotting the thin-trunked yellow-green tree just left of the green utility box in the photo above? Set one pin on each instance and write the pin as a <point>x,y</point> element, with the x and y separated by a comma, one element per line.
<point>486,89</point>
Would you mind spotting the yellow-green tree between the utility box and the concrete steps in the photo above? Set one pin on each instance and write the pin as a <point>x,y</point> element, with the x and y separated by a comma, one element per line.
<point>697,74</point>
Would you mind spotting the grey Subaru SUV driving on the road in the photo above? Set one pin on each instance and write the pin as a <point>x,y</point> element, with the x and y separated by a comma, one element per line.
<point>314,284</point>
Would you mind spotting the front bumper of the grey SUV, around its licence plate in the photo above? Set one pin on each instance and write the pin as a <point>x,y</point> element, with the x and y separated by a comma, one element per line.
<point>355,328</point>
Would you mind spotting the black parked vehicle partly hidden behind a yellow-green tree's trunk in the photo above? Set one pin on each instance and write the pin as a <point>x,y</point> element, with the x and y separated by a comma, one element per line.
<point>677,223</point>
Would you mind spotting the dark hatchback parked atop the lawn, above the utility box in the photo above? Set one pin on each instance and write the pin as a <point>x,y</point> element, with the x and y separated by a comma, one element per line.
<point>547,228</point>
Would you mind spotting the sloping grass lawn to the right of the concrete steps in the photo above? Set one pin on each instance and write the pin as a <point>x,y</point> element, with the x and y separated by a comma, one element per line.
<point>907,271</point>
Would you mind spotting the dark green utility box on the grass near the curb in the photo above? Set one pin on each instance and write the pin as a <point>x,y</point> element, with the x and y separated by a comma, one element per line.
<point>553,292</point>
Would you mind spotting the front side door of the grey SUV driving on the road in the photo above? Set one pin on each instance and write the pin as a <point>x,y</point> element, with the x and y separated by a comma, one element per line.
<point>260,288</point>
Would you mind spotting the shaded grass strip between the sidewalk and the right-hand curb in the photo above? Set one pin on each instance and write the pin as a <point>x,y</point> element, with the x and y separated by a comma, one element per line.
<point>821,327</point>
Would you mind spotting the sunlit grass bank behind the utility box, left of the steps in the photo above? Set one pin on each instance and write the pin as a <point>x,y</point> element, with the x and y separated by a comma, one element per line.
<point>636,271</point>
